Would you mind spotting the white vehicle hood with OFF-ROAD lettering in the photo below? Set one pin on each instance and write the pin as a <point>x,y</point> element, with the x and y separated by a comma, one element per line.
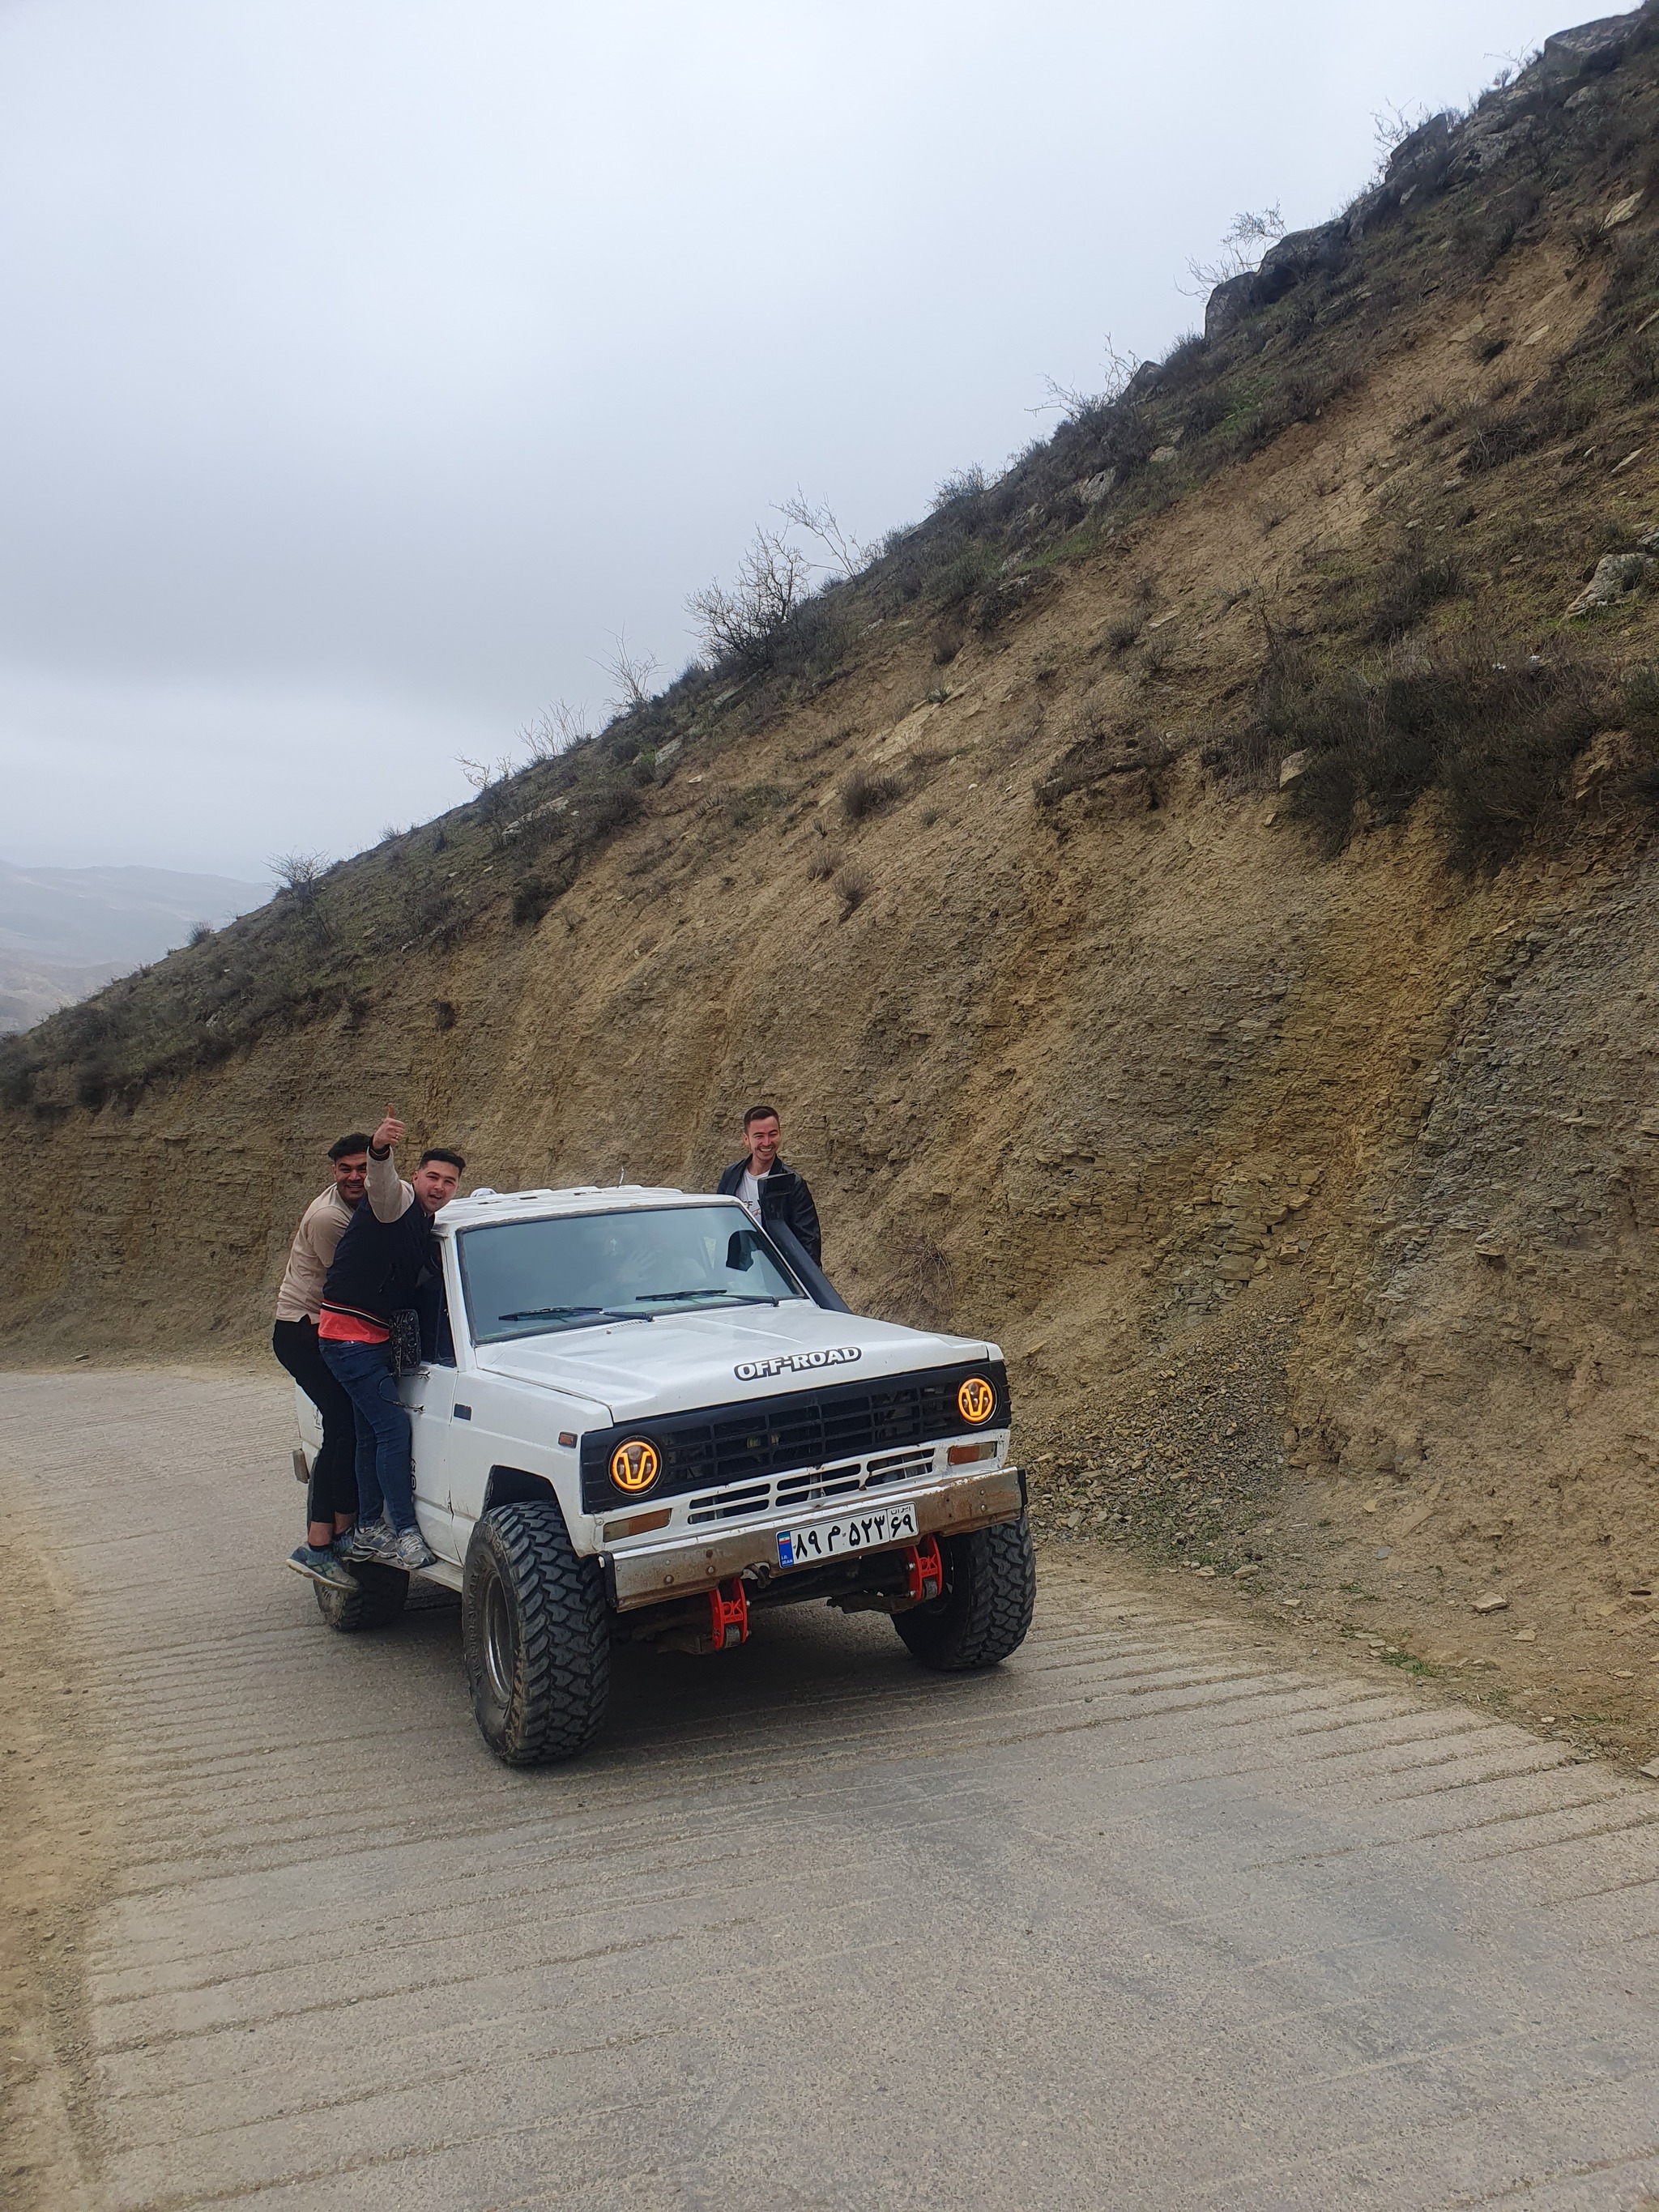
<point>669,1366</point>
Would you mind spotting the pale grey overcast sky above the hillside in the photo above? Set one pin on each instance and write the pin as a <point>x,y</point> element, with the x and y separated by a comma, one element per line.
<point>364,366</point>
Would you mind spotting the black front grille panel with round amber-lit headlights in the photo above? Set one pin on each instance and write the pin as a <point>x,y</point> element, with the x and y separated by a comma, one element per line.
<point>853,1428</point>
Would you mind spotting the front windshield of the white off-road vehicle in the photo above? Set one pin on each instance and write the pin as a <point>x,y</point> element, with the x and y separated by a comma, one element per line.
<point>532,1277</point>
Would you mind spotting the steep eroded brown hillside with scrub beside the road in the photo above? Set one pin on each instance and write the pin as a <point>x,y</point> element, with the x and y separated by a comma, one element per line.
<point>1191,899</point>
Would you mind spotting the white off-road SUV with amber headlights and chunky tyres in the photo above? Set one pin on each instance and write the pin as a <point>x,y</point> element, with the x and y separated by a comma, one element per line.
<point>651,1419</point>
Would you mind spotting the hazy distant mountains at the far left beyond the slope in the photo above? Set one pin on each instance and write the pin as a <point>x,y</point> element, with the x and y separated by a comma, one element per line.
<point>70,930</point>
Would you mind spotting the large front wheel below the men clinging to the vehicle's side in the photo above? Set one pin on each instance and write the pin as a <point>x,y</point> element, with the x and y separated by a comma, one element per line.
<point>536,1634</point>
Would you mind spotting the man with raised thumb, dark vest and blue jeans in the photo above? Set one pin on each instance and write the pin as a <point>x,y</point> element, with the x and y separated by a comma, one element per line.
<point>379,1264</point>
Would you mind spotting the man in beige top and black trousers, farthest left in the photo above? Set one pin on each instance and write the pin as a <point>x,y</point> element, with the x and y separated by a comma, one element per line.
<point>333,1494</point>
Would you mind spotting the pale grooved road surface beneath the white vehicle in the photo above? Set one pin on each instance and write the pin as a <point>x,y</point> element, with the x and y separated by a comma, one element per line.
<point>1160,1914</point>
